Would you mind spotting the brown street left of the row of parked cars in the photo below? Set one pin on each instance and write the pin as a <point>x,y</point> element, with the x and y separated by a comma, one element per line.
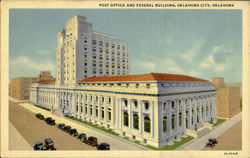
<point>34,130</point>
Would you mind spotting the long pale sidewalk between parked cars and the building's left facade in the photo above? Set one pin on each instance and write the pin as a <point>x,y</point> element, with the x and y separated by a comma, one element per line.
<point>115,142</point>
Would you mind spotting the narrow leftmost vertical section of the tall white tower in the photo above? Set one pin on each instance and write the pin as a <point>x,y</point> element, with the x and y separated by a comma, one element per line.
<point>60,57</point>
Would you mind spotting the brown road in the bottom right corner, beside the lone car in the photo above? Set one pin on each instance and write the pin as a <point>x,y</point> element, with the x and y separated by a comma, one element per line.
<point>230,140</point>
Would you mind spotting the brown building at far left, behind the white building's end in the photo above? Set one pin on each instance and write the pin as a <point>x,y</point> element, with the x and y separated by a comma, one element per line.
<point>19,88</point>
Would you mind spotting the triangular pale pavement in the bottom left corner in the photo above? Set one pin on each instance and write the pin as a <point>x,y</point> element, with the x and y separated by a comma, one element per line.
<point>16,141</point>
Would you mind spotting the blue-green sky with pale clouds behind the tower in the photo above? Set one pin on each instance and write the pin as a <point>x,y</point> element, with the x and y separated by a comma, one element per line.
<point>200,43</point>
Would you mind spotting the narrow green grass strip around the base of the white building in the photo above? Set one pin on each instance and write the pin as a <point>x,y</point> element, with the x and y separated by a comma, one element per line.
<point>174,146</point>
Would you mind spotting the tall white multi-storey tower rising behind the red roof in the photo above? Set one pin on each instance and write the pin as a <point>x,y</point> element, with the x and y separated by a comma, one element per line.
<point>83,53</point>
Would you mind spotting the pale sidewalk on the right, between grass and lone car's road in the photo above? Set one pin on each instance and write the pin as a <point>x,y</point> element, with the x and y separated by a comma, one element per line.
<point>200,143</point>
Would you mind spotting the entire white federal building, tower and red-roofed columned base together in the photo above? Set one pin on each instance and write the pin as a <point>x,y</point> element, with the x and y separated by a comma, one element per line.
<point>153,108</point>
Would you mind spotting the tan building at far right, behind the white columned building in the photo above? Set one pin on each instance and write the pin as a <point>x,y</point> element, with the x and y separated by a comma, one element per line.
<point>227,99</point>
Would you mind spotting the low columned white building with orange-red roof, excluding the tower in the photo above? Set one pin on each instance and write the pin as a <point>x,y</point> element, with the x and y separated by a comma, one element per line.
<point>155,109</point>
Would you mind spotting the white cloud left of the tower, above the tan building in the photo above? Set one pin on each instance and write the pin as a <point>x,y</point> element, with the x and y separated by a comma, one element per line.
<point>26,63</point>
